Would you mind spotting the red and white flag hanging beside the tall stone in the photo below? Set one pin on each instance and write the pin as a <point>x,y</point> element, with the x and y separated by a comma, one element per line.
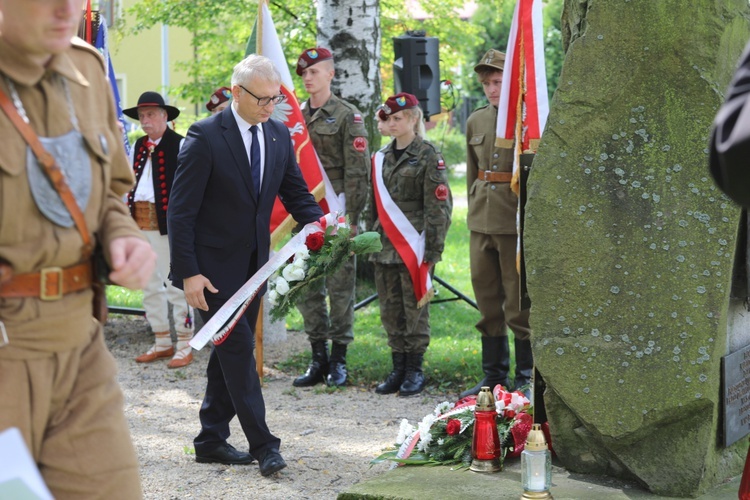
<point>524,106</point>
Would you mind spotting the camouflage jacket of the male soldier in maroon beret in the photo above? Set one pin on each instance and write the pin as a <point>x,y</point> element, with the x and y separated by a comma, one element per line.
<point>338,133</point>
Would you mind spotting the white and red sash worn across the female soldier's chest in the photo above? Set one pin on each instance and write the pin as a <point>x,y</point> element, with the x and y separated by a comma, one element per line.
<point>409,243</point>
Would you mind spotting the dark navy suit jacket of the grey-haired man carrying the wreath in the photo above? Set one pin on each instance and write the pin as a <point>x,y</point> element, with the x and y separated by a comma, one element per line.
<point>216,220</point>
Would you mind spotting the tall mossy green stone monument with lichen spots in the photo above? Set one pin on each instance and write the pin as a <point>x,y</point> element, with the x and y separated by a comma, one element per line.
<point>630,248</point>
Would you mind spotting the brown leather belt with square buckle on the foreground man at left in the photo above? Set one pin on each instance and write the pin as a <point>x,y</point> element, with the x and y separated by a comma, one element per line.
<point>51,283</point>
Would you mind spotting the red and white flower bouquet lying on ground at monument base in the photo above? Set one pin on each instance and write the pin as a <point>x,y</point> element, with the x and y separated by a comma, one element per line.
<point>444,437</point>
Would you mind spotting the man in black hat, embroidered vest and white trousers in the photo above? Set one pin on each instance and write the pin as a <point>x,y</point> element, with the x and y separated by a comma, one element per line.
<point>154,163</point>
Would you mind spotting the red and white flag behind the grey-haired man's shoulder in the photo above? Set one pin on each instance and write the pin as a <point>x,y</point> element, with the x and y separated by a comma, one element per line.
<point>269,45</point>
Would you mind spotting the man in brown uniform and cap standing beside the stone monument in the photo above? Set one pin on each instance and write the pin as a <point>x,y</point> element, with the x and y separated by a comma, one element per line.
<point>492,245</point>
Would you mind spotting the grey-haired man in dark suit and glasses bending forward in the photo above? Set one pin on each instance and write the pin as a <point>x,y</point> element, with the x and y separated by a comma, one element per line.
<point>230,170</point>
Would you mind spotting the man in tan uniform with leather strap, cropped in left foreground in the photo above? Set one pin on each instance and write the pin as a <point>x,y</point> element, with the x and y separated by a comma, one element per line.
<point>57,379</point>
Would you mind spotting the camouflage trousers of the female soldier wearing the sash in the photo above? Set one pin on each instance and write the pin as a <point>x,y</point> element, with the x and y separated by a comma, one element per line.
<point>407,326</point>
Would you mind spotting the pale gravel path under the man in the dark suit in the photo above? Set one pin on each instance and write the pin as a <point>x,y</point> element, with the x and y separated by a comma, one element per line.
<point>327,440</point>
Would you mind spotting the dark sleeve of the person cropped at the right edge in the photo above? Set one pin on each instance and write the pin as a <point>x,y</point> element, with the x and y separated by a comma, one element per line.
<point>730,140</point>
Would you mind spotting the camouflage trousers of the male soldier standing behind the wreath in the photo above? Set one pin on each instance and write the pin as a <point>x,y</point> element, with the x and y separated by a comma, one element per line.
<point>336,325</point>
